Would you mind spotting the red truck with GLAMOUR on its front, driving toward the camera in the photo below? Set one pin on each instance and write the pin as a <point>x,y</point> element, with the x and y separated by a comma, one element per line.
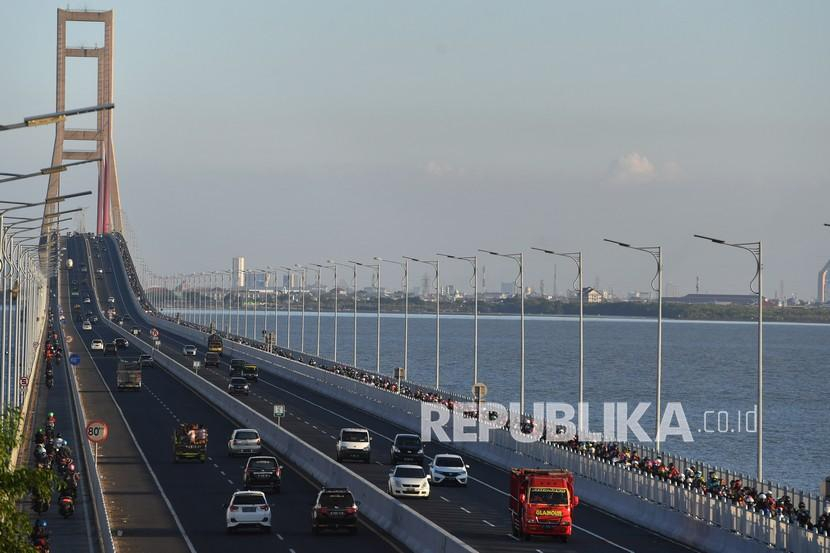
<point>542,502</point>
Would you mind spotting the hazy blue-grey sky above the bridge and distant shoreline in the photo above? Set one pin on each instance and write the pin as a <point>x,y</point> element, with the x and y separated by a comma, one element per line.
<point>296,132</point>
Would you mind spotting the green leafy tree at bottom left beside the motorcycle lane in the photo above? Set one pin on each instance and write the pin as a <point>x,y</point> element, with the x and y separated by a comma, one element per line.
<point>15,485</point>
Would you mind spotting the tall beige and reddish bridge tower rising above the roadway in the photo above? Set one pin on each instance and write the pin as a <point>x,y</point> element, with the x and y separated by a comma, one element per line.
<point>109,198</point>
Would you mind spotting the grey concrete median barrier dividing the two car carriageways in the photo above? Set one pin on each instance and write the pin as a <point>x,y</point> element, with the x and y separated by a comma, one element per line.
<point>394,517</point>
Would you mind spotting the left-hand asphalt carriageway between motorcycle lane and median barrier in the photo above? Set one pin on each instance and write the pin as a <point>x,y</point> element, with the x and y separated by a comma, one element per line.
<point>197,492</point>
